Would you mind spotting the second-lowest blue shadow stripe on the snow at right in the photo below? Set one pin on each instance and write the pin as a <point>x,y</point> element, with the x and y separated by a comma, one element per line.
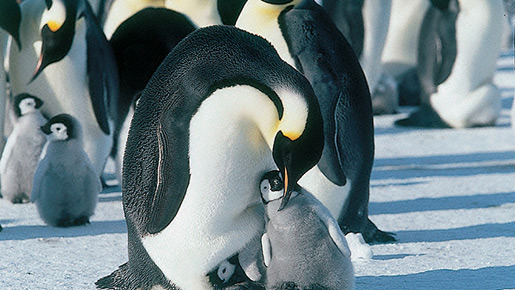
<point>484,231</point>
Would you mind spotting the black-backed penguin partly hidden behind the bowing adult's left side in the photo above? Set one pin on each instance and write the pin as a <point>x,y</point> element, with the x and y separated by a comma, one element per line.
<point>140,44</point>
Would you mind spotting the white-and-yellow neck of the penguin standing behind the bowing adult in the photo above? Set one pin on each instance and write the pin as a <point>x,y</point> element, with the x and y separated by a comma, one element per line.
<point>263,19</point>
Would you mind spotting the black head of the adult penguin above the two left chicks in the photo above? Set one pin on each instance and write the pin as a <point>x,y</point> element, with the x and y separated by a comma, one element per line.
<point>56,38</point>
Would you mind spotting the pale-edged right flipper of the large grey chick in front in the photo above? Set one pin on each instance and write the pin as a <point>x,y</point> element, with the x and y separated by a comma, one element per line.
<point>332,226</point>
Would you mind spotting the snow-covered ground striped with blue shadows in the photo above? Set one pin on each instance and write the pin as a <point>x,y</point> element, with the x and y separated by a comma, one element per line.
<point>448,194</point>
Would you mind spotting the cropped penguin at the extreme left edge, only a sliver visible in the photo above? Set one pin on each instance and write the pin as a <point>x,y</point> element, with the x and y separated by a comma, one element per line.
<point>10,19</point>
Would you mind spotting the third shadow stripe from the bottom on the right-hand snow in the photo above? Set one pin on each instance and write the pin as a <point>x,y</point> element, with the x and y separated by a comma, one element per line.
<point>442,203</point>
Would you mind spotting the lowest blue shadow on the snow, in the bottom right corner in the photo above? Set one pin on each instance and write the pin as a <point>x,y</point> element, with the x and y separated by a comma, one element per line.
<point>484,278</point>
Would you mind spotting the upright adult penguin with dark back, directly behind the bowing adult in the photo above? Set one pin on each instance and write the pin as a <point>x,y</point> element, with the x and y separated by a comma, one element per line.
<point>306,38</point>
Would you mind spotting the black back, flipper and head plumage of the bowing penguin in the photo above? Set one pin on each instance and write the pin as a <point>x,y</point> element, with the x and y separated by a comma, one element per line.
<point>208,59</point>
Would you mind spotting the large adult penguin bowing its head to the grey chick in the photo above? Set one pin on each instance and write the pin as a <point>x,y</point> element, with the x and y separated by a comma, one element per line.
<point>221,107</point>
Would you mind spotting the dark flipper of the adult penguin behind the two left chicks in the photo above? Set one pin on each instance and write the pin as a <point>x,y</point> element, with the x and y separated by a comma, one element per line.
<point>102,72</point>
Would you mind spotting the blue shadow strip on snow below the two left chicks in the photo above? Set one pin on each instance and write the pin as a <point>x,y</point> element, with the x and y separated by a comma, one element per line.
<point>44,232</point>
